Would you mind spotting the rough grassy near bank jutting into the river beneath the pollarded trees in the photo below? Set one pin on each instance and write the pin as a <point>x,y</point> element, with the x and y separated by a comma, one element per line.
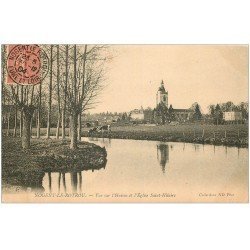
<point>26,168</point>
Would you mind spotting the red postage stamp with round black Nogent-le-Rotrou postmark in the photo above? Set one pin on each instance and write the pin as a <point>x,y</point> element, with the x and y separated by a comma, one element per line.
<point>26,64</point>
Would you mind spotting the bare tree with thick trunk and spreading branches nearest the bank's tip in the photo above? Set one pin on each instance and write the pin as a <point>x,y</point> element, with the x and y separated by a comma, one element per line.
<point>83,78</point>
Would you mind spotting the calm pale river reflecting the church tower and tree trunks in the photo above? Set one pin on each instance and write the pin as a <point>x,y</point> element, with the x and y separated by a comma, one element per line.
<point>160,171</point>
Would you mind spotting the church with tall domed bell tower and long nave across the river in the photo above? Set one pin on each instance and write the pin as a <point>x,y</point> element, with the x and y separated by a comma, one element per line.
<point>181,115</point>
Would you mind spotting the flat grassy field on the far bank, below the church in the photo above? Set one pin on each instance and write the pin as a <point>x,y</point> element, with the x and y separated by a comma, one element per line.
<point>232,135</point>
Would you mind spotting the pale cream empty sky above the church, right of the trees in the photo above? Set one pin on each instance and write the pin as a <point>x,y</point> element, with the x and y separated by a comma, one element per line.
<point>207,74</point>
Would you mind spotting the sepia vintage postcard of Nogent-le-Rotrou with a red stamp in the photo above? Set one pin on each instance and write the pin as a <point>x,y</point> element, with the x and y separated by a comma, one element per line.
<point>124,123</point>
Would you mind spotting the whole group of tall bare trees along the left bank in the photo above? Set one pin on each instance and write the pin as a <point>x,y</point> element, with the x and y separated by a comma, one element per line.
<point>73,83</point>
